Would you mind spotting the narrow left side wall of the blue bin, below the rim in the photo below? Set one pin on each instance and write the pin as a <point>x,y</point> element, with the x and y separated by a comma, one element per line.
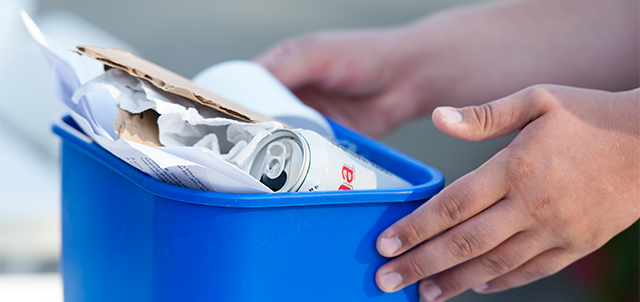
<point>106,233</point>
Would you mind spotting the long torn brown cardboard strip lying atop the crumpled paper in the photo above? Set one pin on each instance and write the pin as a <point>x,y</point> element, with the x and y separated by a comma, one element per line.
<point>170,82</point>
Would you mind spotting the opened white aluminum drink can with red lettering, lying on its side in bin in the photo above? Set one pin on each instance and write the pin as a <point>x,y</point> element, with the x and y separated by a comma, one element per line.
<point>304,161</point>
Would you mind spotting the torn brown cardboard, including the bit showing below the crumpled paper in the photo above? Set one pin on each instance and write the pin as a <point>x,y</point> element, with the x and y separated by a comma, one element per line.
<point>127,123</point>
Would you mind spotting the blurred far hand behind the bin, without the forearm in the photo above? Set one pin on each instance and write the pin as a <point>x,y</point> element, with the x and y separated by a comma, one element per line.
<point>364,79</point>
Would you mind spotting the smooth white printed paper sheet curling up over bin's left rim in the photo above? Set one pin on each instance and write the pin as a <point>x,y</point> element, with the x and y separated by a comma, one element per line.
<point>191,167</point>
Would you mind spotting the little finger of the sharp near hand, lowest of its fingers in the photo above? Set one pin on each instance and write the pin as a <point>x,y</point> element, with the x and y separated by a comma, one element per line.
<point>543,265</point>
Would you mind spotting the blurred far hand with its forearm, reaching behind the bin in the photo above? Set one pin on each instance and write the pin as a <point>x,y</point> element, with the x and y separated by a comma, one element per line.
<point>373,80</point>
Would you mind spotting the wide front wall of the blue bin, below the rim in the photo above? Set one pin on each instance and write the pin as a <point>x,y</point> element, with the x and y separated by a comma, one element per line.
<point>290,254</point>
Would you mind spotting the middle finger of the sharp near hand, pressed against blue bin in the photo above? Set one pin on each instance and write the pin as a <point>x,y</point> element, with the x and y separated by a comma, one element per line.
<point>470,239</point>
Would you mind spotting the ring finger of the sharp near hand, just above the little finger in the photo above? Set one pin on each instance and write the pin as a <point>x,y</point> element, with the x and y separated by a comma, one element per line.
<point>506,257</point>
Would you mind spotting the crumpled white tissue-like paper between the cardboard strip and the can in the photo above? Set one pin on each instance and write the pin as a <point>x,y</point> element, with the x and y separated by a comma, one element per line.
<point>182,123</point>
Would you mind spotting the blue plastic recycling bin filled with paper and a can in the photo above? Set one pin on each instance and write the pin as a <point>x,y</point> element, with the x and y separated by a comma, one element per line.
<point>129,237</point>
